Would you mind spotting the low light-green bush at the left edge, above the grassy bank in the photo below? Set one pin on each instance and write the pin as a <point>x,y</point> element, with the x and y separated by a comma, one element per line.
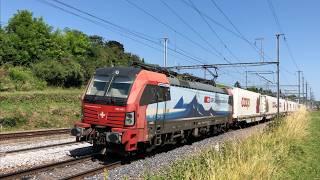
<point>19,79</point>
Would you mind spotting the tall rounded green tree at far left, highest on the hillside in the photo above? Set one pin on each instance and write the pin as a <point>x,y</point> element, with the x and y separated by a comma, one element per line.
<point>30,38</point>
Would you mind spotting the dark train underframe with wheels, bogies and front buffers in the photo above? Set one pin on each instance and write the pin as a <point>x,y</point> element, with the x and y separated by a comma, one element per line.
<point>105,140</point>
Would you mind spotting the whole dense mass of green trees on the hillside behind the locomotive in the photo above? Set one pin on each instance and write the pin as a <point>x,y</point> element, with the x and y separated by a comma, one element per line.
<point>61,57</point>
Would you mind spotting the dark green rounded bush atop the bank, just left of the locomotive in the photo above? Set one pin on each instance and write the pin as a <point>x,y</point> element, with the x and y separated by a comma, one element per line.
<point>67,73</point>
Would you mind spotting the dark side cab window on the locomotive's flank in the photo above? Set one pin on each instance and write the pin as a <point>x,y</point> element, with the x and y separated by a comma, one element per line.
<point>153,94</point>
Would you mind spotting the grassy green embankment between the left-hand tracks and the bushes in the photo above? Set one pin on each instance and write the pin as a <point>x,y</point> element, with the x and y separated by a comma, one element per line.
<point>51,108</point>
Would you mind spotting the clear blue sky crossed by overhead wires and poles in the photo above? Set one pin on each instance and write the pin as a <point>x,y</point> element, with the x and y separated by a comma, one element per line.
<point>195,36</point>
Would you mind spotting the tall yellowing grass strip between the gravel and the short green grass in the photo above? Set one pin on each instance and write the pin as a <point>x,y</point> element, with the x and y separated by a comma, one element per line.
<point>261,156</point>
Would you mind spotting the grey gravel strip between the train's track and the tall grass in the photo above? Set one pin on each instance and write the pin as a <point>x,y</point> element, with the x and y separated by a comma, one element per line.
<point>136,169</point>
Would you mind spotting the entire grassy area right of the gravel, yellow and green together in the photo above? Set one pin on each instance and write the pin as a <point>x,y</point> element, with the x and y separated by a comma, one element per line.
<point>287,150</point>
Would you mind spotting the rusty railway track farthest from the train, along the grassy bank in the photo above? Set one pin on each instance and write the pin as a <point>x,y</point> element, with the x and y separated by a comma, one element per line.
<point>31,134</point>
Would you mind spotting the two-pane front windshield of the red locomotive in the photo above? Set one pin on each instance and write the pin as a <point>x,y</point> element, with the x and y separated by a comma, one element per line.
<point>117,86</point>
